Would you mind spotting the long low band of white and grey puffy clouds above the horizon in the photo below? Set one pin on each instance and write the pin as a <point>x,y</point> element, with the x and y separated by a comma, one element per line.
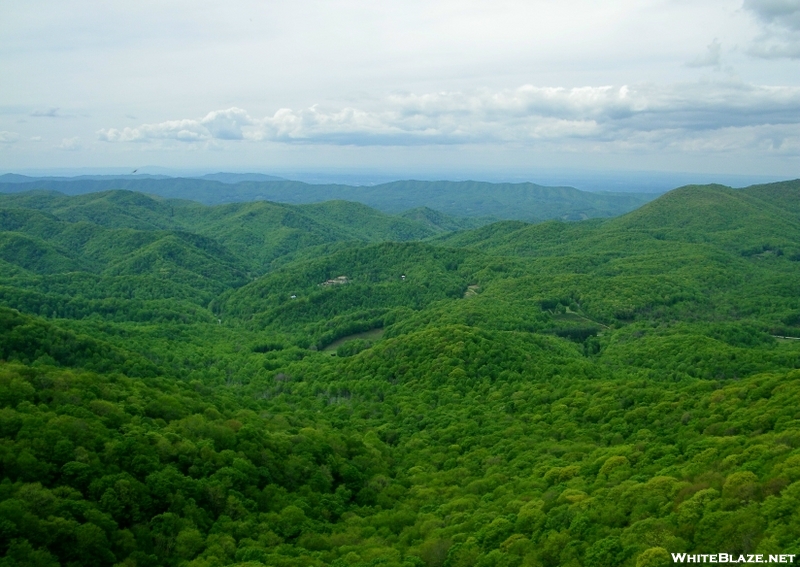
<point>627,116</point>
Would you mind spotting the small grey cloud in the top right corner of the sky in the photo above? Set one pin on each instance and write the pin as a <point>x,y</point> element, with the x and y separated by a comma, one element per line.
<point>780,28</point>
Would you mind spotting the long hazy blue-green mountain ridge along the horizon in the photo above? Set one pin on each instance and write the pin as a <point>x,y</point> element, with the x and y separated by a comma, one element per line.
<point>523,201</point>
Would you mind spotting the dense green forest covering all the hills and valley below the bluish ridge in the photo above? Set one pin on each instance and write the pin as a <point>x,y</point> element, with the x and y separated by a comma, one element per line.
<point>255,383</point>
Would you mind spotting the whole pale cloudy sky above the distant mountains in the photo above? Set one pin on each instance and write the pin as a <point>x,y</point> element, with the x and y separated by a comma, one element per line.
<point>406,88</point>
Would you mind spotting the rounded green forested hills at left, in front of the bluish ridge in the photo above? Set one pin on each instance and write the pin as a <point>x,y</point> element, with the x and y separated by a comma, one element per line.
<point>46,231</point>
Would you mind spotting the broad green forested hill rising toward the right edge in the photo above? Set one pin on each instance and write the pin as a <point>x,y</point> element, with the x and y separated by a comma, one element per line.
<point>749,221</point>
